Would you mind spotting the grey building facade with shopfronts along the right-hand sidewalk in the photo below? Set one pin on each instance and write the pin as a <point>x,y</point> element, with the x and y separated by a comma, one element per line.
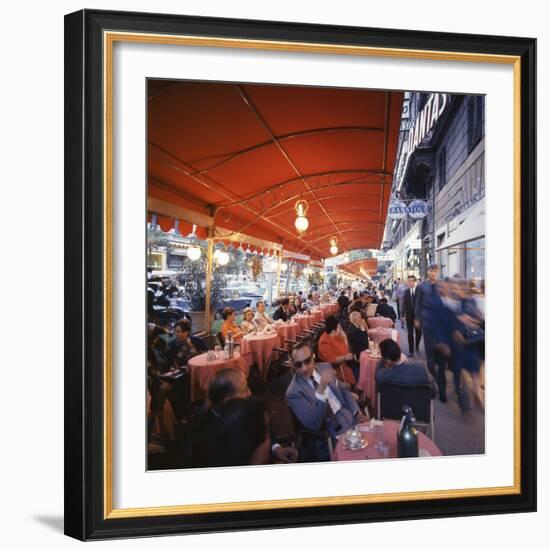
<point>442,162</point>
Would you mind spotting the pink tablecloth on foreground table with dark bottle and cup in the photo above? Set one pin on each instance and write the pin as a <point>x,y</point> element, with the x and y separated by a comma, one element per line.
<point>387,433</point>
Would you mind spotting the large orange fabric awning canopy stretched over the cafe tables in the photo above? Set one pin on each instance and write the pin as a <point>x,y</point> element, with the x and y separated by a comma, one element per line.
<point>245,154</point>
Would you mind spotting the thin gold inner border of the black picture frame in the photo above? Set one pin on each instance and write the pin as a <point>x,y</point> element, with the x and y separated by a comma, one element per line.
<point>109,39</point>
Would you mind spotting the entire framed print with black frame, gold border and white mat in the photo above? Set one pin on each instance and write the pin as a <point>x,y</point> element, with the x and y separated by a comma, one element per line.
<point>300,282</point>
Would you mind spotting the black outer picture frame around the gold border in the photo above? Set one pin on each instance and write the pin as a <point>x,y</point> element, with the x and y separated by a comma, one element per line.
<point>84,281</point>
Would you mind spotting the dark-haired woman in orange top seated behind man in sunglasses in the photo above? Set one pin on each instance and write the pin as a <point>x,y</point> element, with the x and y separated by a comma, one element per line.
<point>333,348</point>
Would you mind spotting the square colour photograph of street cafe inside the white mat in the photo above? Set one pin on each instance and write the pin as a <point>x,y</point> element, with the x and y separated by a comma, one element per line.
<point>315,274</point>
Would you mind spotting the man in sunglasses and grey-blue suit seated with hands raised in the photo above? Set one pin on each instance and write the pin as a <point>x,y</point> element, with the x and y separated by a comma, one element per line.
<point>317,400</point>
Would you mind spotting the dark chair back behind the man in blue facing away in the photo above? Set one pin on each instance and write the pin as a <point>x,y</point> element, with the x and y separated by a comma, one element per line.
<point>393,397</point>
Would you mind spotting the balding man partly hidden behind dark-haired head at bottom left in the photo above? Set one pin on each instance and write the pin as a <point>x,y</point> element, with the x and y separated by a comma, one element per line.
<point>228,384</point>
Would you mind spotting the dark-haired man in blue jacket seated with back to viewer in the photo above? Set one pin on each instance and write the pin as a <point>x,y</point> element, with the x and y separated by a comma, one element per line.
<point>395,368</point>
